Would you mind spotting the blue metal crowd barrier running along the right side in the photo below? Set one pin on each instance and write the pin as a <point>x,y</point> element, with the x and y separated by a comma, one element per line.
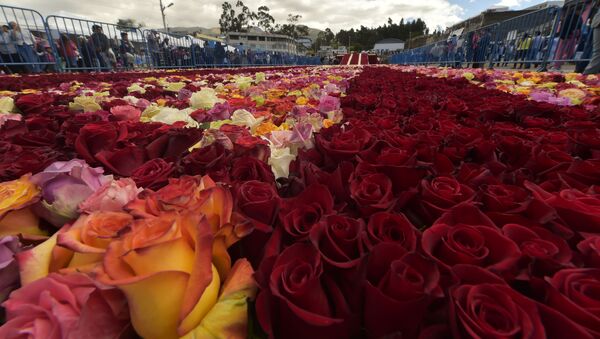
<point>547,37</point>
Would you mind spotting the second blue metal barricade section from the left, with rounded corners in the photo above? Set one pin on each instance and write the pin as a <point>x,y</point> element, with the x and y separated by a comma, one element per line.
<point>85,45</point>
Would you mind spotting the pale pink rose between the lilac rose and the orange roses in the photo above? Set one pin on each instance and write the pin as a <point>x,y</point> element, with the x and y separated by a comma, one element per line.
<point>111,197</point>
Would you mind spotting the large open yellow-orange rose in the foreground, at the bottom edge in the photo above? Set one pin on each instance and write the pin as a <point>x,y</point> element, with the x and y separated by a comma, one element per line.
<point>164,268</point>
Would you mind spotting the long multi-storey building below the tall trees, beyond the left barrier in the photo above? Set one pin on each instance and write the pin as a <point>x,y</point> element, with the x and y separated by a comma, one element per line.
<point>258,39</point>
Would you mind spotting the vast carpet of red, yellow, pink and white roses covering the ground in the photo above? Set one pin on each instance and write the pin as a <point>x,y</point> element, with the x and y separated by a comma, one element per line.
<point>327,202</point>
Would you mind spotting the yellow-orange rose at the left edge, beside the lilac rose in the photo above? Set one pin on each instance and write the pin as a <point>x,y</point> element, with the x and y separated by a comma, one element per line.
<point>15,215</point>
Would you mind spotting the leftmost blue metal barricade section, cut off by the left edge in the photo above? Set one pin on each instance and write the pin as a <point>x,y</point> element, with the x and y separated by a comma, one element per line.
<point>24,43</point>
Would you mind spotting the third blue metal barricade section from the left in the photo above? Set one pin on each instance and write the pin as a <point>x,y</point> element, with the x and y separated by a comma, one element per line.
<point>170,51</point>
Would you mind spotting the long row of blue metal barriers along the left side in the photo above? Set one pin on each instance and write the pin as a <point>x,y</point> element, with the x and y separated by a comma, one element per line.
<point>63,44</point>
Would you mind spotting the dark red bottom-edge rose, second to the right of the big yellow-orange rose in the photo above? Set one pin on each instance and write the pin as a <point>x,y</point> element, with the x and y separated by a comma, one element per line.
<point>398,283</point>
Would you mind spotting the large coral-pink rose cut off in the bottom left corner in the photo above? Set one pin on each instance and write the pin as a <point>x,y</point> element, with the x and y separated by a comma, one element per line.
<point>65,306</point>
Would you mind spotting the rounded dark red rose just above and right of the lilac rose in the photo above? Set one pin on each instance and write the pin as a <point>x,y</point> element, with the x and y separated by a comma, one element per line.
<point>94,138</point>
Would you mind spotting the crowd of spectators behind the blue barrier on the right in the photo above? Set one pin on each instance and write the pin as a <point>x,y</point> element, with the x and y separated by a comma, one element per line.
<point>575,38</point>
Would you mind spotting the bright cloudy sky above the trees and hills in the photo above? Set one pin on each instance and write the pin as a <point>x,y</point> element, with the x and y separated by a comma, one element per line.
<point>336,14</point>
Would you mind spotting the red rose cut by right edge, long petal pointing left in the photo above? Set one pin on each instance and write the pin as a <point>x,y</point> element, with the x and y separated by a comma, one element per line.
<point>579,211</point>
